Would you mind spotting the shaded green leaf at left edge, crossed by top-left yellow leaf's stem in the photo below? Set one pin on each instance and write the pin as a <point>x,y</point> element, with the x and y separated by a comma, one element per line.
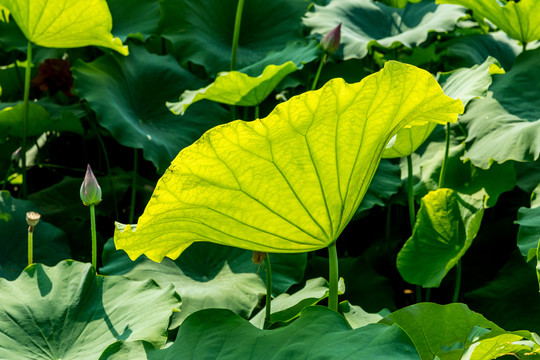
<point>39,120</point>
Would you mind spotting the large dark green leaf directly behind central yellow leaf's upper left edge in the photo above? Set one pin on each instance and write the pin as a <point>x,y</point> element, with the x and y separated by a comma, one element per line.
<point>129,95</point>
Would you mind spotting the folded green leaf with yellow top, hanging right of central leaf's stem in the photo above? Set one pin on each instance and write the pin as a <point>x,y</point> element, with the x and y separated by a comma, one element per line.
<point>446,225</point>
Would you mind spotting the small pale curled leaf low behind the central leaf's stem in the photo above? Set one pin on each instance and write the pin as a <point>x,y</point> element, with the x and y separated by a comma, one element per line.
<point>287,307</point>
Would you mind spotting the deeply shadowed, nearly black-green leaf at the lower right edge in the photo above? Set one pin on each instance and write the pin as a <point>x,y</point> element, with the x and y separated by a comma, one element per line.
<point>511,299</point>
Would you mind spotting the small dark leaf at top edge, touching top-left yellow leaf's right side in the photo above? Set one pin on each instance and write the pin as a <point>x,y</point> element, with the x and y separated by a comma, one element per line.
<point>138,19</point>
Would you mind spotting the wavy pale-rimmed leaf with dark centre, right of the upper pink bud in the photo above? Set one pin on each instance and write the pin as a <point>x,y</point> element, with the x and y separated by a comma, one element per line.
<point>366,23</point>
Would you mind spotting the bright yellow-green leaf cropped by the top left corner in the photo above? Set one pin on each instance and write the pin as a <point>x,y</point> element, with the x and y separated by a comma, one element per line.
<point>65,23</point>
